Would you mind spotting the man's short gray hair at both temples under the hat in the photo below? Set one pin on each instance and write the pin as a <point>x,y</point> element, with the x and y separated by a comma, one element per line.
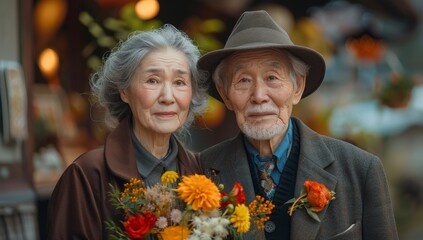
<point>297,68</point>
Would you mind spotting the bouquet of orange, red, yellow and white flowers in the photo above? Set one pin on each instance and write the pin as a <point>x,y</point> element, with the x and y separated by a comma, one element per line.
<point>191,207</point>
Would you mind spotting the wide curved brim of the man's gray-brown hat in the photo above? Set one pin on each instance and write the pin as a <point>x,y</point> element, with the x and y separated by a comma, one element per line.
<point>317,67</point>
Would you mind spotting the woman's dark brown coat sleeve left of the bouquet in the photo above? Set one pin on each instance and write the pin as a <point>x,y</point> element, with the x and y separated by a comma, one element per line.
<point>73,212</point>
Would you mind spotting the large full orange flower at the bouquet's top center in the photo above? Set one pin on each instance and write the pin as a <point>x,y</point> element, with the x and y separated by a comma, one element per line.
<point>199,191</point>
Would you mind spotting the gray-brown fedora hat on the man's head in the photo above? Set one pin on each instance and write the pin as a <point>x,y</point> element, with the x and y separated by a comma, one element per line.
<point>257,30</point>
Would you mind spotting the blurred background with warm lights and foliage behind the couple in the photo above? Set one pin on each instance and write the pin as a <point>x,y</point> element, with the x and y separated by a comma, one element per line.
<point>372,95</point>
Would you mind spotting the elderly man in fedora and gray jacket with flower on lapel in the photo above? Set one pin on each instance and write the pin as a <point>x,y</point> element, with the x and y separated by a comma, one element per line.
<point>260,75</point>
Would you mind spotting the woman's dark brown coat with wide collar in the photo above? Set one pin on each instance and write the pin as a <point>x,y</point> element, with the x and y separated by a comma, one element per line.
<point>79,204</point>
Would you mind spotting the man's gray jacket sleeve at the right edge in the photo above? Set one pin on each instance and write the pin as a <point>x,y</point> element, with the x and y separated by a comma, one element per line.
<point>378,217</point>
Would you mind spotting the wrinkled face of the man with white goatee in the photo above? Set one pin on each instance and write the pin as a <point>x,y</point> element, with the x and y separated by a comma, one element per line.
<point>261,92</point>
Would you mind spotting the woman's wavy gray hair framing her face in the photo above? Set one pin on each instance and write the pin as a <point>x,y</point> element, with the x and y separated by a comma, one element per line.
<point>120,66</point>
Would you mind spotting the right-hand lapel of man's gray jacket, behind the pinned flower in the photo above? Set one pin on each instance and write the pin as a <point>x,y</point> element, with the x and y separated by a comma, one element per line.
<point>314,158</point>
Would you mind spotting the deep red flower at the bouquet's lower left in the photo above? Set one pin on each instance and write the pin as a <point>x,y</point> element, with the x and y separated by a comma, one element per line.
<point>139,225</point>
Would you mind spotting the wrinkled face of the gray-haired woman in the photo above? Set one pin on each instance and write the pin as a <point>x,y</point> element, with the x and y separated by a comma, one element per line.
<point>160,92</point>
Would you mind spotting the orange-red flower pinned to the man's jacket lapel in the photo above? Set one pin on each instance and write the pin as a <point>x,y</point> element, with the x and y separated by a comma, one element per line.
<point>317,195</point>
